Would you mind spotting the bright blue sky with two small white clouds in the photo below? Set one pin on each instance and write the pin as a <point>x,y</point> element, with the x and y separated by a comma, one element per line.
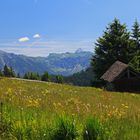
<point>40,27</point>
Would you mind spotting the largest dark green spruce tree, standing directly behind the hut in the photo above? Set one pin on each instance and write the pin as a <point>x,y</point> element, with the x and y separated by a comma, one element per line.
<point>112,46</point>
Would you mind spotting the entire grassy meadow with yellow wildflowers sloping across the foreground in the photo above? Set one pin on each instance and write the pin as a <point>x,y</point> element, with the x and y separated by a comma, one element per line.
<point>31,110</point>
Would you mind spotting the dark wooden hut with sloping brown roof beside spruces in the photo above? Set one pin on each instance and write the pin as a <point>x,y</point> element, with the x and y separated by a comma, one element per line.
<point>122,77</point>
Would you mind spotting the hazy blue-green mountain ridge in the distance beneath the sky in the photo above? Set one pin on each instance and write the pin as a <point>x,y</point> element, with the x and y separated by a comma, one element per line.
<point>64,63</point>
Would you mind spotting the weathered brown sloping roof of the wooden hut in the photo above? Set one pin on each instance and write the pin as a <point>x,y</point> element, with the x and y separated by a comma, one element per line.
<point>114,71</point>
